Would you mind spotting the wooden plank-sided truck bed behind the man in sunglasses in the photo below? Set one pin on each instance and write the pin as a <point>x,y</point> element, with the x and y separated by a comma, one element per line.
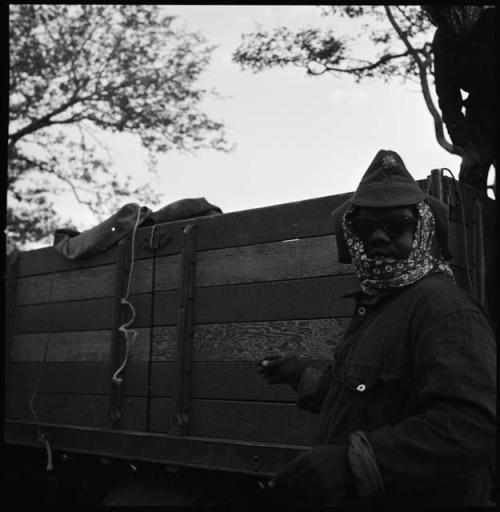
<point>211,300</point>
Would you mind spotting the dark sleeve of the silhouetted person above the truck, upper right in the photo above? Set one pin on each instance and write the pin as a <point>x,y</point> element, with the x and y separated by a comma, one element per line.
<point>448,92</point>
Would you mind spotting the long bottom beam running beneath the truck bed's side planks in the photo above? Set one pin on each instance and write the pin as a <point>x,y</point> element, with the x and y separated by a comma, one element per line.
<point>219,454</point>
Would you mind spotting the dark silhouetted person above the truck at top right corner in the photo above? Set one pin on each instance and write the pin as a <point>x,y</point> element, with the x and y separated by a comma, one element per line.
<point>464,59</point>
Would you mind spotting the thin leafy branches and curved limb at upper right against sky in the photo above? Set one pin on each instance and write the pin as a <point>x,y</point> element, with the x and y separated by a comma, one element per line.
<point>401,39</point>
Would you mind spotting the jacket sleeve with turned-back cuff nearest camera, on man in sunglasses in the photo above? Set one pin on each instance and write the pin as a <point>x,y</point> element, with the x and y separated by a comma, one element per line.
<point>454,432</point>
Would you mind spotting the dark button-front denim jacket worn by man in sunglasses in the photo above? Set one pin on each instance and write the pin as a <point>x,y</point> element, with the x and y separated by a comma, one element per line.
<point>412,391</point>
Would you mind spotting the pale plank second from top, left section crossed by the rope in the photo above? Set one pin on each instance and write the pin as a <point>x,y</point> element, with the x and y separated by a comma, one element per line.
<point>85,283</point>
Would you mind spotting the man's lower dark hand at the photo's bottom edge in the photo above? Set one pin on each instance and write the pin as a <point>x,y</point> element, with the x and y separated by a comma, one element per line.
<point>320,476</point>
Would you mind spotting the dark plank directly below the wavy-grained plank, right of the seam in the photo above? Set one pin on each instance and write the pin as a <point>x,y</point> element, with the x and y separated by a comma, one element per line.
<point>224,380</point>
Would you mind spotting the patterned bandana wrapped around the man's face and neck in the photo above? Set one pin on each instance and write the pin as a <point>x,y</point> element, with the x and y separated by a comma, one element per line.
<point>385,274</point>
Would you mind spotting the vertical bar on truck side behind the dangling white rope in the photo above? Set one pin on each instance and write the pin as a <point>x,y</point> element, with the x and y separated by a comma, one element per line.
<point>116,355</point>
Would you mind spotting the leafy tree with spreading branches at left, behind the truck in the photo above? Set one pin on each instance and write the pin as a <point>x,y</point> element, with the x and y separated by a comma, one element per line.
<point>79,72</point>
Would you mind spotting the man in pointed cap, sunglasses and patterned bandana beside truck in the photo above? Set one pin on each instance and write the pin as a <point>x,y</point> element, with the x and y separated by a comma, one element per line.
<point>407,407</point>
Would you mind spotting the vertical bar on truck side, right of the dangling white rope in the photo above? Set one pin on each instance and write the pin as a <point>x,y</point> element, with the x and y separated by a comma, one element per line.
<point>182,397</point>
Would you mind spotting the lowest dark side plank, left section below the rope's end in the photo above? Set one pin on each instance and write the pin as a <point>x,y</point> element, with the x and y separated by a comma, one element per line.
<point>71,409</point>
